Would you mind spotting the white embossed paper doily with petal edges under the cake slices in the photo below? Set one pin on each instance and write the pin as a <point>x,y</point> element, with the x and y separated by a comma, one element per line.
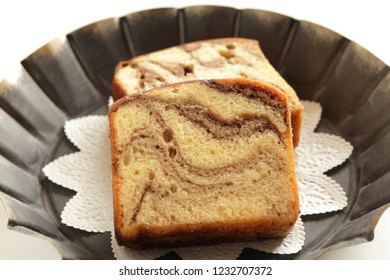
<point>88,172</point>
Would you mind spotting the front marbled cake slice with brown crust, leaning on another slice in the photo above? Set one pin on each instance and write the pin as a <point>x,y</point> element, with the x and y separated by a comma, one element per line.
<point>202,162</point>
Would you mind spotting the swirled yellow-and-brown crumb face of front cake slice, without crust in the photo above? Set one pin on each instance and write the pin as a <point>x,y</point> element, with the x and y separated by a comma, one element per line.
<point>179,153</point>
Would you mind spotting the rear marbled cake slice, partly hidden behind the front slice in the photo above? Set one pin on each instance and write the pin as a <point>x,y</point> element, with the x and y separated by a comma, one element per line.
<point>208,59</point>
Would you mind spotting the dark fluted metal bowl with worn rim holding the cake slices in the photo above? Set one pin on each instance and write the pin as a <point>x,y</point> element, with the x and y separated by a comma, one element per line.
<point>72,78</point>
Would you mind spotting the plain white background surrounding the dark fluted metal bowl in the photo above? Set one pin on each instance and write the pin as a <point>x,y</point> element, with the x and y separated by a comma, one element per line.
<point>27,25</point>
